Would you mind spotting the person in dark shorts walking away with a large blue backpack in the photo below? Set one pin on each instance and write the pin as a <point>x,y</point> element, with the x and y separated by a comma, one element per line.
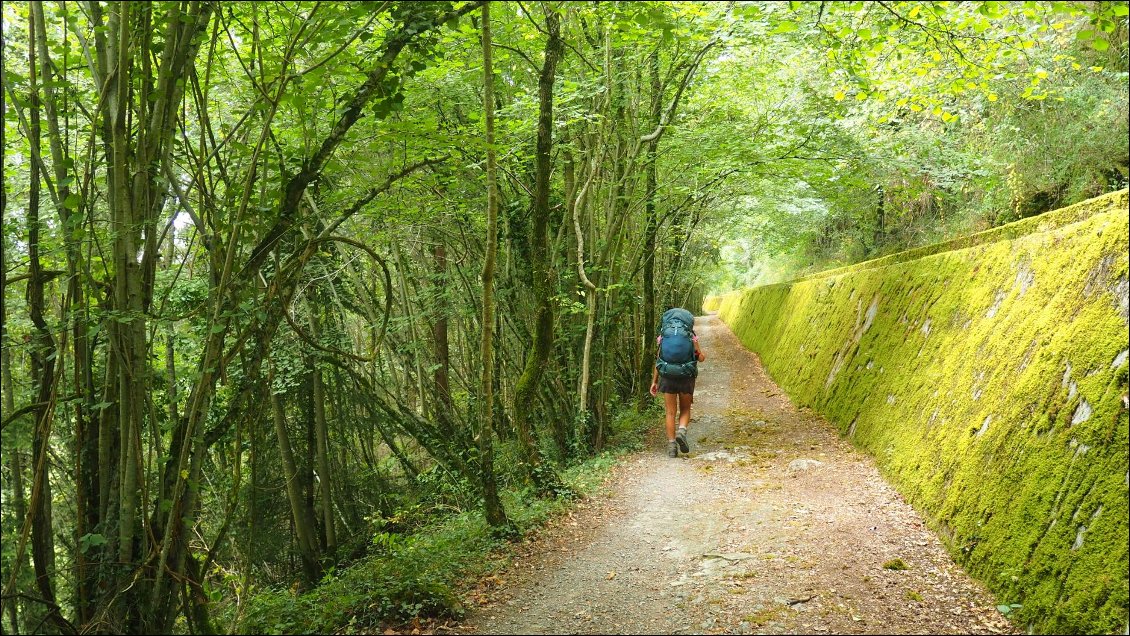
<point>676,370</point>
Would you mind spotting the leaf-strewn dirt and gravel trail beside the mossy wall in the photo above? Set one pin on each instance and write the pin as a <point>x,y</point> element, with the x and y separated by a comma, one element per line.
<point>772,525</point>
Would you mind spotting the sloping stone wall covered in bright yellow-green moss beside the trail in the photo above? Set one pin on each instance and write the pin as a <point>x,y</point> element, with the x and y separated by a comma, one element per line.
<point>988,377</point>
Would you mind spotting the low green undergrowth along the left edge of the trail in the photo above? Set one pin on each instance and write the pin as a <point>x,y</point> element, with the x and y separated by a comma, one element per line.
<point>422,576</point>
